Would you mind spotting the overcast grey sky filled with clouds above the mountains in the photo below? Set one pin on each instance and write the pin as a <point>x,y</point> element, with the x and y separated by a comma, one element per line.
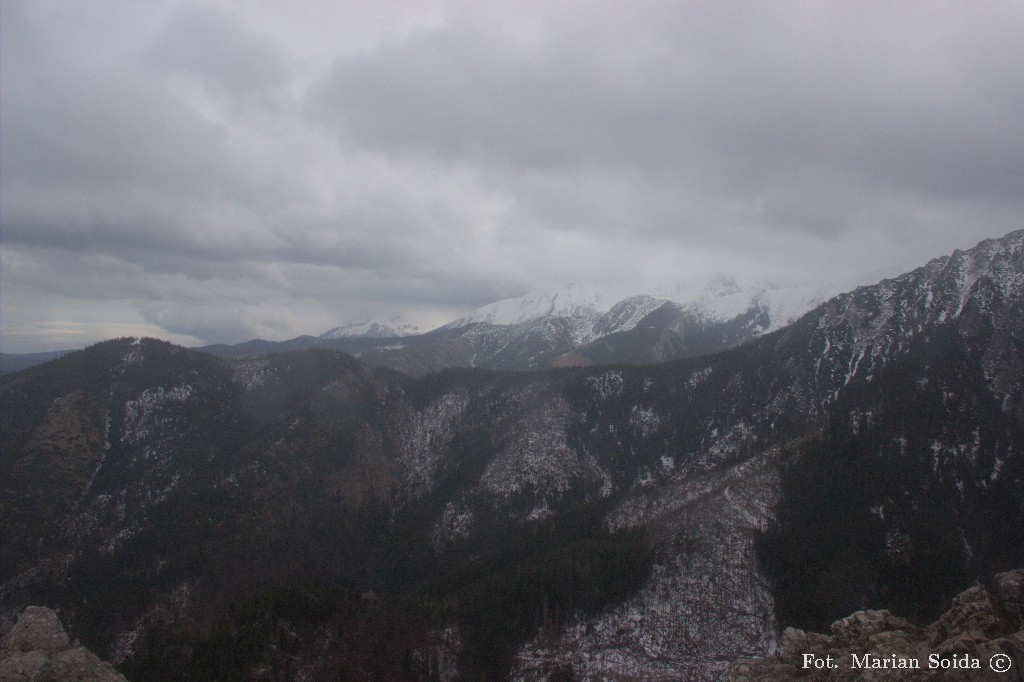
<point>215,172</point>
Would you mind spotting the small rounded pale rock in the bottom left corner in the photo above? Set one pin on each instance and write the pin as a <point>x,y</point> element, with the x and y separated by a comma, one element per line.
<point>37,650</point>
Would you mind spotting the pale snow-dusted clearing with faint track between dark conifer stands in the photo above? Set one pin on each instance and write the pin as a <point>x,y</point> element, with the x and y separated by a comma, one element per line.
<point>704,596</point>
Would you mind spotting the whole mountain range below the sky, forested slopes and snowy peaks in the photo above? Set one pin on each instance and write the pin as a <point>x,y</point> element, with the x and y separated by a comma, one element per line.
<point>307,514</point>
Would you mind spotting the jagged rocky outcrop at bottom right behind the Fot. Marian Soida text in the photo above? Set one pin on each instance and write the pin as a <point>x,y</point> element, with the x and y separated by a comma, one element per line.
<point>979,638</point>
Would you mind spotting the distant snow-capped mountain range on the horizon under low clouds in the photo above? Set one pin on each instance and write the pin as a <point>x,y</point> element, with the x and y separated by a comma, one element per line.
<point>571,327</point>
